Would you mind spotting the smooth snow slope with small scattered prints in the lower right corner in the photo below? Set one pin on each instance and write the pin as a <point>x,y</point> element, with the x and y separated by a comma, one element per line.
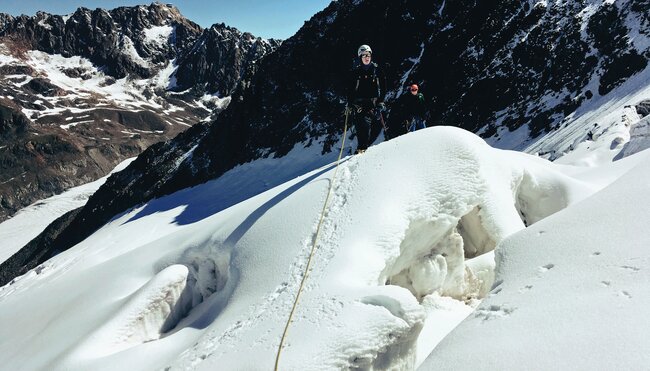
<point>571,292</point>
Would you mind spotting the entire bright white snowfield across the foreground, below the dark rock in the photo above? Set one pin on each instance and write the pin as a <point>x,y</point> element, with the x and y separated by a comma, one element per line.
<point>405,253</point>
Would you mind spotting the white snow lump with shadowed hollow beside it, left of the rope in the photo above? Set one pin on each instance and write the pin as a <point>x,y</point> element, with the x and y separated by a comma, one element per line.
<point>189,293</point>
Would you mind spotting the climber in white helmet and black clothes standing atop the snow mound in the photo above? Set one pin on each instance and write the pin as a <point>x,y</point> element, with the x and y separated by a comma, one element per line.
<point>366,98</point>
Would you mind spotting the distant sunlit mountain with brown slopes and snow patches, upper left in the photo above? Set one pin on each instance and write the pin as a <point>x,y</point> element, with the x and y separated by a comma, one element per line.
<point>79,93</point>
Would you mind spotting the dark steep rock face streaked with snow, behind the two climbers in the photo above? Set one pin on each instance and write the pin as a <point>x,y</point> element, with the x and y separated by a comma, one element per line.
<point>481,66</point>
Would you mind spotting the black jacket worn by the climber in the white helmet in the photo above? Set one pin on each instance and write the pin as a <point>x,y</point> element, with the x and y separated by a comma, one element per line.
<point>367,83</point>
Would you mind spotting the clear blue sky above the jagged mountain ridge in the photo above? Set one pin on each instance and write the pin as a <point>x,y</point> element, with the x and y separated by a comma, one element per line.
<point>265,18</point>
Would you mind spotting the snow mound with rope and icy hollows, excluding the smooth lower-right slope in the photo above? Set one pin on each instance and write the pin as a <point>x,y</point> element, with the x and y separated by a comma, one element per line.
<point>405,253</point>
